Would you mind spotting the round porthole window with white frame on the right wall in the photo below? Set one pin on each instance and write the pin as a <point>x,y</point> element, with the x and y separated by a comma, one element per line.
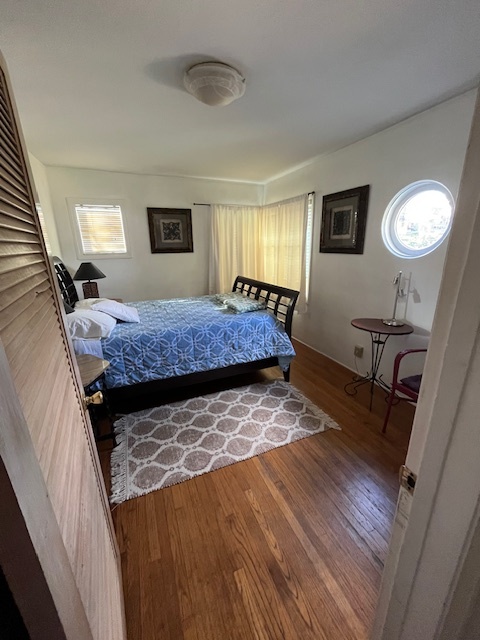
<point>418,219</point>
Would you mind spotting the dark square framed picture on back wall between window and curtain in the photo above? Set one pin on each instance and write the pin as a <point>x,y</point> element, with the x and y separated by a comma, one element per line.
<point>170,230</point>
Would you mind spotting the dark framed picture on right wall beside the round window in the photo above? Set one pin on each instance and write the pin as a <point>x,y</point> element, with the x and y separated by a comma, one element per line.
<point>344,218</point>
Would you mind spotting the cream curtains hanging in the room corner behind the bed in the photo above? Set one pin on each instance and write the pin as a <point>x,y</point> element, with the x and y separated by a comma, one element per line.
<point>266,243</point>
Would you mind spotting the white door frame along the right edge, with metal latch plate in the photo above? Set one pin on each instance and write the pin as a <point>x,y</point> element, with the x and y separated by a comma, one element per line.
<point>435,532</point>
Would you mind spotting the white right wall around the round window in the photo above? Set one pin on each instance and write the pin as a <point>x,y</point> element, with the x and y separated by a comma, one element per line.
<point>429,145</point>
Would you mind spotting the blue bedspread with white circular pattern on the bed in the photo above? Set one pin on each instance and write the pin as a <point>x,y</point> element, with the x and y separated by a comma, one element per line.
<point>181,336</point>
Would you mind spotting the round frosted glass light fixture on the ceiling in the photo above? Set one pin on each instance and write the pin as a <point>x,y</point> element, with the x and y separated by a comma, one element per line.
<point>214,83</point>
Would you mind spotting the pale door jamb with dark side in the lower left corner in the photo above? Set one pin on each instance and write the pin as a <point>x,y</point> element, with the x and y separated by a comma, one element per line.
<point>32,552</point>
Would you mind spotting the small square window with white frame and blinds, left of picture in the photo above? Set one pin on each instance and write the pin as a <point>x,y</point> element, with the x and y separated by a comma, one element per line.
<point>99,229</point>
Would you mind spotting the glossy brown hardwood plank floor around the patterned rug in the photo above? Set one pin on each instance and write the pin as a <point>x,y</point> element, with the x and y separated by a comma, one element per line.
<point>290,544</point>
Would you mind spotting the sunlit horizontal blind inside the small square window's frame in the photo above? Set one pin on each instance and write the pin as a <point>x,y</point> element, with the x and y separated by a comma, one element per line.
<point>101,228</point>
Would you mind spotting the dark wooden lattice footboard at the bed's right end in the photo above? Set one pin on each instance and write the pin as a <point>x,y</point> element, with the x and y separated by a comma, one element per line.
<point>279,300</point>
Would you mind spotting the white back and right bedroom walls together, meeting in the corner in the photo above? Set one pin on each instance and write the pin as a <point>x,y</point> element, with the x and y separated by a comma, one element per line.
<point>429,145</point>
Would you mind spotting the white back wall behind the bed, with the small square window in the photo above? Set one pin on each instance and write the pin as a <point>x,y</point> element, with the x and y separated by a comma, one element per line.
<point>146,276</point>
